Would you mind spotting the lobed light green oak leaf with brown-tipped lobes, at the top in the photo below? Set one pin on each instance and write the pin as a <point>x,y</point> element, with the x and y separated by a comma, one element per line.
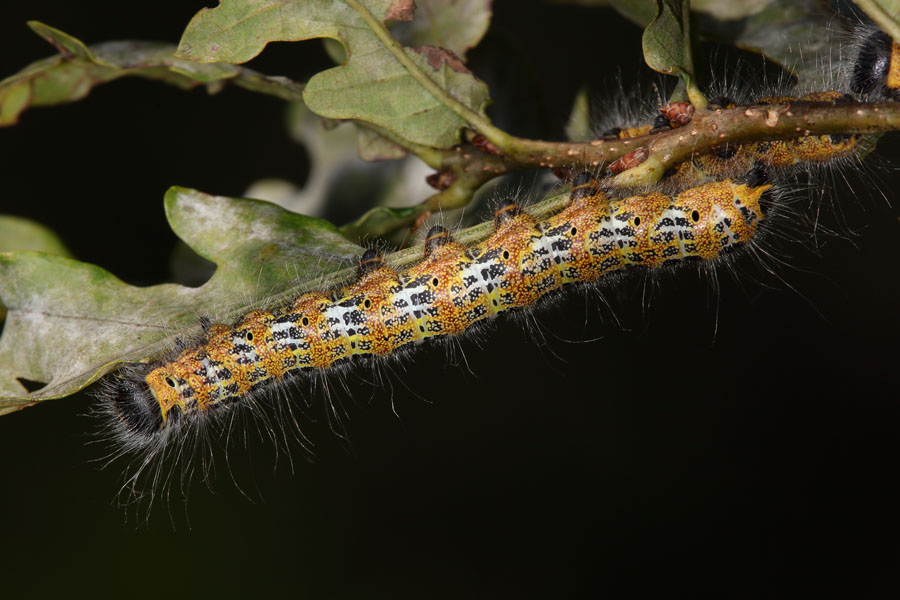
<point>371,86</point>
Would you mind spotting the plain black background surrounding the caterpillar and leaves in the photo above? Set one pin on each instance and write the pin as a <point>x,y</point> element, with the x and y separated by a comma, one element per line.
<point>738,442</point>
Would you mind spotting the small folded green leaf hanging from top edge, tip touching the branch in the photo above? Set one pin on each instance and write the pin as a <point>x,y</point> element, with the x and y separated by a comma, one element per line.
<point>667,46</point>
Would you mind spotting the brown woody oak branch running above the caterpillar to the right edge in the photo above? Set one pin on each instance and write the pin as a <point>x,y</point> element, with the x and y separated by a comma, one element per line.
<point>468,167</point>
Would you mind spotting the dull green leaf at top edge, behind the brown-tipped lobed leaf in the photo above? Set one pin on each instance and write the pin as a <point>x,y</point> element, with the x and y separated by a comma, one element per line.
<point>457,25</point>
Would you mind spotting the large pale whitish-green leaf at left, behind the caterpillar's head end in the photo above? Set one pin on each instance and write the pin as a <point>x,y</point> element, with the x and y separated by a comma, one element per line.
<point>70,322</point>
